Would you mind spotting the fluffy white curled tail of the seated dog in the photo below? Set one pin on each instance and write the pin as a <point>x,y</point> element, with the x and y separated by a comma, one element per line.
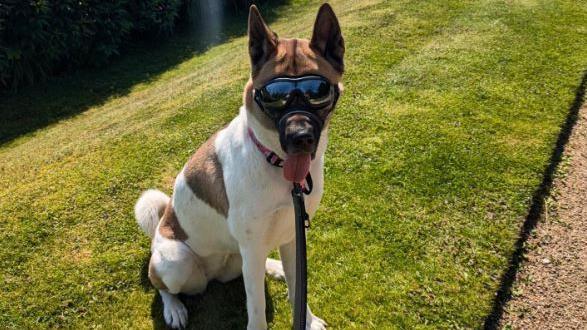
<point>149,209</point>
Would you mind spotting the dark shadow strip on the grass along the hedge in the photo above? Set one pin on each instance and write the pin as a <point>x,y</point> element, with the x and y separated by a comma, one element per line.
<point>64,97</point>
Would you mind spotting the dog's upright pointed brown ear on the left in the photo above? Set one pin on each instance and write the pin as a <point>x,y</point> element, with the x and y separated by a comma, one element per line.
<point>262,41</point>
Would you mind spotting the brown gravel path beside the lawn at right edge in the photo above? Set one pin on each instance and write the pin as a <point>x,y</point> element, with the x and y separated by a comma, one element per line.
<point>551,288</point>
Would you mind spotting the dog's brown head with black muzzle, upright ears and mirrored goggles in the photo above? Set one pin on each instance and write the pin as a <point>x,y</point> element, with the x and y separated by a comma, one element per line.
<point>294,83</point>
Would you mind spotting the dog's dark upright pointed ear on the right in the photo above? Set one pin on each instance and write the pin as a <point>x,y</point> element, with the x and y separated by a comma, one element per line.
<point>327,38</point>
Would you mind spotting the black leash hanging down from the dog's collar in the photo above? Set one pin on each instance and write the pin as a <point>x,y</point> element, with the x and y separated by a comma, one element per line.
<point>301,282</point>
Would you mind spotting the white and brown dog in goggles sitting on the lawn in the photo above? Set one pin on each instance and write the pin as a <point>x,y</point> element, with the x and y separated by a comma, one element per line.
<point>231,204</point>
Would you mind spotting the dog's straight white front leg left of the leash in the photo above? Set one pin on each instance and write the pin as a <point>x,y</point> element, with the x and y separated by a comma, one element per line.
<point>254,257</point>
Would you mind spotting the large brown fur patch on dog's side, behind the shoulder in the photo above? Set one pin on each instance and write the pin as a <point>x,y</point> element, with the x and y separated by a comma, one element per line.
<point>204,175</point>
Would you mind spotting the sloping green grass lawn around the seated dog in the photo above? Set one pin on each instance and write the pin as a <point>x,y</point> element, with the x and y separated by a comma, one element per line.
<point>449,117</point>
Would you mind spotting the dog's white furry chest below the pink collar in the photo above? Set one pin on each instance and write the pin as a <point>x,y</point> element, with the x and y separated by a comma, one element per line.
<point>261,207</point>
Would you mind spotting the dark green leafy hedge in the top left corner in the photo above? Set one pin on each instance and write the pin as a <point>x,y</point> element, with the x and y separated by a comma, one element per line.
<point>42,37</point>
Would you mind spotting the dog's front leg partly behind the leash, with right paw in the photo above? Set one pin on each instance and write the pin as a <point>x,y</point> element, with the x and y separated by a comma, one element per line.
<point>288,258</point>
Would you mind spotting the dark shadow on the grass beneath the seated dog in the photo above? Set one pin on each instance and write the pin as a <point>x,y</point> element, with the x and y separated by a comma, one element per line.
<point>221,306</point>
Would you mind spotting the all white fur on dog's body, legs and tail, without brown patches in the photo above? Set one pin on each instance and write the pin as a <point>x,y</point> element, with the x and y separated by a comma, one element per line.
<point>260,219</point>
